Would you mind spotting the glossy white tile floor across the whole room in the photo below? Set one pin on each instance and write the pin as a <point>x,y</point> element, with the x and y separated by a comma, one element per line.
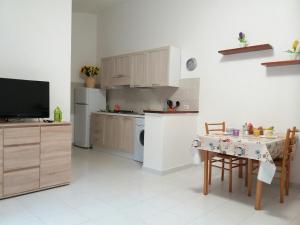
<point>109,190</point>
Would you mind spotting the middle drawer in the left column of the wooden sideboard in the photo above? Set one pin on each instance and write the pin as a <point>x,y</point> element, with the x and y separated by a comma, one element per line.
<point>21,157</point>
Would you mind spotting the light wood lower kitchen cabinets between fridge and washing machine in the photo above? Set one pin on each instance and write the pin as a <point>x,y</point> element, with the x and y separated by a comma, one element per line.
<point>117,132</point>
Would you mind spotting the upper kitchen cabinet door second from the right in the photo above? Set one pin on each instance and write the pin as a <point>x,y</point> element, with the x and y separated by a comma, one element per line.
<point>138,70</point>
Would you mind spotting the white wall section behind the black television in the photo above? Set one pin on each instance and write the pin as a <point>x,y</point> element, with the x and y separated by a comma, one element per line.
<point>35,44</point>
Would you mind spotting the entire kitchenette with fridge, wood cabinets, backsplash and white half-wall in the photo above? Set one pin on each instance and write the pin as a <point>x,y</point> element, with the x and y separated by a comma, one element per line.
<point>137,89</point>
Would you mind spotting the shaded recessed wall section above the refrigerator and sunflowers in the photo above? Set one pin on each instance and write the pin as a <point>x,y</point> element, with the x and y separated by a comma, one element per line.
<point>84,43</point>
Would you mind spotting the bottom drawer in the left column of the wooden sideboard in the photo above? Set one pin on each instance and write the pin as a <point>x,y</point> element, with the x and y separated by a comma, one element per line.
<point>21,181</point>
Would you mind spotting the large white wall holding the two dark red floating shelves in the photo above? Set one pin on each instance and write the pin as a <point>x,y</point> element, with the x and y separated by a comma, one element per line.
<point>234,88</point>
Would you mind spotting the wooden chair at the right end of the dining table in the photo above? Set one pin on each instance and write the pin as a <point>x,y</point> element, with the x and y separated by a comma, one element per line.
<point>283,164</point>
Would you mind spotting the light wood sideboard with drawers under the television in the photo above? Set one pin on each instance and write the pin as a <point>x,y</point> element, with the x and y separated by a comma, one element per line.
<point>34,156</point>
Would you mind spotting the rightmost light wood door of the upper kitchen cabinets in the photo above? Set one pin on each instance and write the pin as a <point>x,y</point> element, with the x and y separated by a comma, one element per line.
<point>158,67</point>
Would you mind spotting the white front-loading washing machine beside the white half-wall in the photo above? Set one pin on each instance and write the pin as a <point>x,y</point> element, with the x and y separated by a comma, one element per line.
<point>138,154</point>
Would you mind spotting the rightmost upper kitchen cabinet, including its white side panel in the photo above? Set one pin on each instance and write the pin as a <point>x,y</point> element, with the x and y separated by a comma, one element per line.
<point>163,67</point>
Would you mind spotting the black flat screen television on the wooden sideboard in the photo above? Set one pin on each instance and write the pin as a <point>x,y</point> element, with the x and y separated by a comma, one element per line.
<point>24,98</point>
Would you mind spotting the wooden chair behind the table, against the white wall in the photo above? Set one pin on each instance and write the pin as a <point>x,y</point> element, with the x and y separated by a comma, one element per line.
<point>216,158</point>
